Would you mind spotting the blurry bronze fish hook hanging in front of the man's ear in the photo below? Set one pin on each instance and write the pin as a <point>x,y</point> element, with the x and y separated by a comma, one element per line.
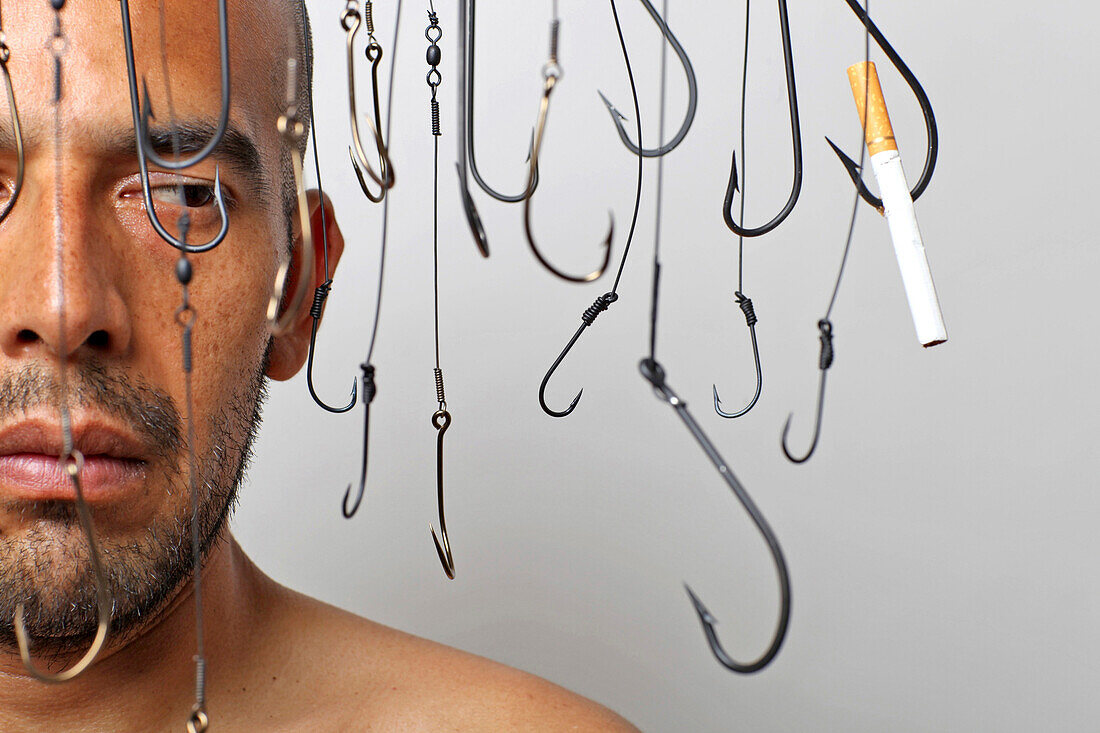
<point>292,130</point>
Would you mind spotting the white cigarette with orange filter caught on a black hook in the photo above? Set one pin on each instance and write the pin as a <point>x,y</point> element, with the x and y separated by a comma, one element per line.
<point>898,206</point>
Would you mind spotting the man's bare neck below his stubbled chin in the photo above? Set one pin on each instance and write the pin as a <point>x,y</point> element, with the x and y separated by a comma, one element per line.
<point>155,666</point>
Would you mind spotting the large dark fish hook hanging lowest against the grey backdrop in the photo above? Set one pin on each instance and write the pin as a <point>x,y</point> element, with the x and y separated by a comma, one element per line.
<point>655,375</point>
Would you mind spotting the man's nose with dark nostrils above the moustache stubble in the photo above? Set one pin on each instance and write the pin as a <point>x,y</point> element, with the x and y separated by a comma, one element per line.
<point>59,282</point>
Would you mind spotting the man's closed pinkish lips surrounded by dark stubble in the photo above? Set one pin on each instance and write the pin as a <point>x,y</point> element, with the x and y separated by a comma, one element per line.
<point>115,462</point>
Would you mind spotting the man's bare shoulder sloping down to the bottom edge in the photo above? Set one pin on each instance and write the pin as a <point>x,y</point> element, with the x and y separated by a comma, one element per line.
<point>372,677</point>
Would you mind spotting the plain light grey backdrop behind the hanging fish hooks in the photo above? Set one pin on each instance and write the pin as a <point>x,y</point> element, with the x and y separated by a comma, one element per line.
<point>941,543</point>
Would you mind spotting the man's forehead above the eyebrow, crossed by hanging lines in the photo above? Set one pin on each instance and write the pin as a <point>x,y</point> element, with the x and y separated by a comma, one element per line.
<point>261,37</point>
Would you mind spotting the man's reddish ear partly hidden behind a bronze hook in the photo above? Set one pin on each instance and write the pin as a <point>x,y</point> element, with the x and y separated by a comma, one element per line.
<point>290,352</point>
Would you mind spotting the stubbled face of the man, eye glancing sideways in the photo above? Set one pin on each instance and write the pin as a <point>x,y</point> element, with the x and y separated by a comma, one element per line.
<point>115,280</point>
